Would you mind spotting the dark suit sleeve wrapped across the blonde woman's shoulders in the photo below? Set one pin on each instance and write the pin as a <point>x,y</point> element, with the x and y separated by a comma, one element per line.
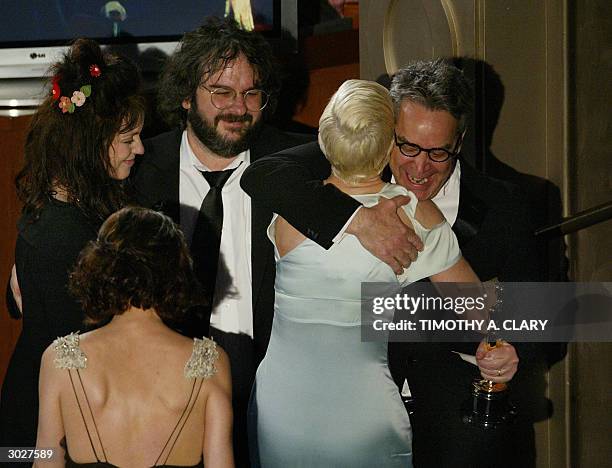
<point>290,183</point>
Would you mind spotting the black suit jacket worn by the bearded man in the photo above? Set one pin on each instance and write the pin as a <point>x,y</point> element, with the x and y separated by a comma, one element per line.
<point>156,180</point>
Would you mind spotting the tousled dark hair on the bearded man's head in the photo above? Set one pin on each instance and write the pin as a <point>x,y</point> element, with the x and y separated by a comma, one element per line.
<point>204,52</point>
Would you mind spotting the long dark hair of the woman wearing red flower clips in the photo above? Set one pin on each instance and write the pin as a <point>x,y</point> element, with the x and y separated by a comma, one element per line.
<point>70,151</point>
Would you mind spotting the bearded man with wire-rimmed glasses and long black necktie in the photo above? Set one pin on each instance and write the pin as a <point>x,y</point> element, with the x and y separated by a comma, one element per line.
<point>216,89</point>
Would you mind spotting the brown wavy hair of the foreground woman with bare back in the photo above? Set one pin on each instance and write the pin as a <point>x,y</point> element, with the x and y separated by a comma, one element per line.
<point>139,259</point>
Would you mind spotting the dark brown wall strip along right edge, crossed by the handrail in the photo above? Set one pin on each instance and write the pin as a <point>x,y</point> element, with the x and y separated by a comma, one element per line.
<point>591,177</point>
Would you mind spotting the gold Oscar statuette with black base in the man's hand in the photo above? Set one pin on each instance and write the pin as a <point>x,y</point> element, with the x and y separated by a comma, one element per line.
<point>489,405</point>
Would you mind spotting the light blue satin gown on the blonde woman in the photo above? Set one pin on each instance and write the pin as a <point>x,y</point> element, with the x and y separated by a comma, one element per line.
<point>323,398</point>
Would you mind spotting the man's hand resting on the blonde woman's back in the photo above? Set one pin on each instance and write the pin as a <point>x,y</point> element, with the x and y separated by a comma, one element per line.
<point>384,235</point>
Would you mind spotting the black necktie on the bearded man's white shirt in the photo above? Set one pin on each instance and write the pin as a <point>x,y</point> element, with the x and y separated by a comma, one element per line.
<point>207,233</point>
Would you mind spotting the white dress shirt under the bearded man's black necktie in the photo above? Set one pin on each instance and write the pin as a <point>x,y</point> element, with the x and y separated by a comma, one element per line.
<point>234,314</point>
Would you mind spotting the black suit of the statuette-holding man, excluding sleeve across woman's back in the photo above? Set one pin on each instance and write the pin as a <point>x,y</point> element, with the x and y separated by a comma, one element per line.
<point>496,240</point>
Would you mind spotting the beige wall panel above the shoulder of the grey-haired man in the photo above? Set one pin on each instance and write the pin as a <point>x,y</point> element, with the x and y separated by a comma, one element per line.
<point>515,46</point>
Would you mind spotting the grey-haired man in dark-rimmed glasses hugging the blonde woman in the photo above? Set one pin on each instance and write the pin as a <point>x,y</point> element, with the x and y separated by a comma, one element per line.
<point>432,102</point>
